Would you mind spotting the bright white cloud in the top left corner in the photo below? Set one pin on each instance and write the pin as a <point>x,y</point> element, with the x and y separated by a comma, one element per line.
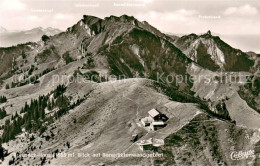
<point>12,5</point>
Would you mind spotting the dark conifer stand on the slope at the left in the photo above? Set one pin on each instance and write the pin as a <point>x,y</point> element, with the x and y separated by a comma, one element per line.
<point>34,118</point>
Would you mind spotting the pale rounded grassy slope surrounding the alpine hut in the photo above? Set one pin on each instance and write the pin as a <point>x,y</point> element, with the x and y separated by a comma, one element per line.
<point>113,107</point>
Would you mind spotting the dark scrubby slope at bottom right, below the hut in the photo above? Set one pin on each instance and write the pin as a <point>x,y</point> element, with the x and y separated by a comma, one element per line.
<point>206,141</point>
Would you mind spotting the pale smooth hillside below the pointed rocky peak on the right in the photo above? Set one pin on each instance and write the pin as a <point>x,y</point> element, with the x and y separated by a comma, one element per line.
<point>223,87</point>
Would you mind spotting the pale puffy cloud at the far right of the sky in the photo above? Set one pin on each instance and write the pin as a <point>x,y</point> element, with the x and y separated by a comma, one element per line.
<point>245,10</point>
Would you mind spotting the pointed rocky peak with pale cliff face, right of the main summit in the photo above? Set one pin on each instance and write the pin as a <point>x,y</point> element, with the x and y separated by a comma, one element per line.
<point>213,53</point>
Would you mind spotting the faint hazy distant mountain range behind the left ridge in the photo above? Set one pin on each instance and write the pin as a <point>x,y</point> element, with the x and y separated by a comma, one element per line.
<point>11,38</point>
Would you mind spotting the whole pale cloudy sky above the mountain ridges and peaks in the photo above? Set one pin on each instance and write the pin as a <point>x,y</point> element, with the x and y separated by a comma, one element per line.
<point>175,16</point>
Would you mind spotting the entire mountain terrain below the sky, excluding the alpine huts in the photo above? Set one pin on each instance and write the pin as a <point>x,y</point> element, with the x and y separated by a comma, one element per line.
<point>82,110</point>
